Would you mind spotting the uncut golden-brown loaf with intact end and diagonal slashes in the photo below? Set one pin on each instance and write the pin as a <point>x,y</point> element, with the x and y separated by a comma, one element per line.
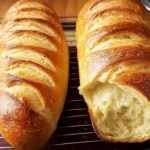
<point>33,74</point>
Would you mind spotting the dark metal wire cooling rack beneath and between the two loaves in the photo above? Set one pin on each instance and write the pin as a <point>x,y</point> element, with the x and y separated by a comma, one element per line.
<point>75,131</point>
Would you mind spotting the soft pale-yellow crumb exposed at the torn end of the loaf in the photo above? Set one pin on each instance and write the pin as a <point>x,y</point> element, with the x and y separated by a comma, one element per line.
<point>119,113</point>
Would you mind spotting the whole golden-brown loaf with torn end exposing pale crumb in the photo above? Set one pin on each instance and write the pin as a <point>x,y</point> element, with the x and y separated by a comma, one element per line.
<point>113,40</point>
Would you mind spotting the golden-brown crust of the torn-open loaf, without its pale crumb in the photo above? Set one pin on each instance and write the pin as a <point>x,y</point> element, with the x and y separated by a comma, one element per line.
<point>113,35</point>
